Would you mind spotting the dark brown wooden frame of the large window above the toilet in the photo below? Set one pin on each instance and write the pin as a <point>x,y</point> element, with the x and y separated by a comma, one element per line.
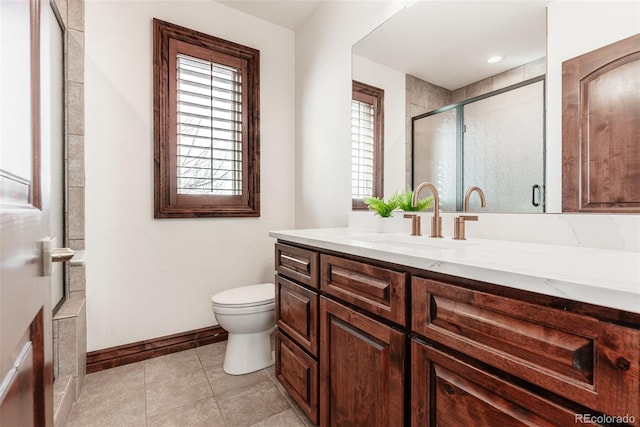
<point>169,40</point>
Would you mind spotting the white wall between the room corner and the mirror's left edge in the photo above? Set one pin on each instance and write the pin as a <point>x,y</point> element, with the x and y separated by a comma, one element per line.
<point>323,107</point>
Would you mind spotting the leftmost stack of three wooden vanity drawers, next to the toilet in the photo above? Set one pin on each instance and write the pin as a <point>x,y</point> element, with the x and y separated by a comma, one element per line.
<point>297,333</point>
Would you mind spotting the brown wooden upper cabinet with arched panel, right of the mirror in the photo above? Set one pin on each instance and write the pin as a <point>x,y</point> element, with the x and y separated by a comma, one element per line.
<point>601,129</point>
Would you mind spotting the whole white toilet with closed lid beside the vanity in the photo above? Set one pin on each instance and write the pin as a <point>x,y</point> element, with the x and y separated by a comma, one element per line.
<point>248,315</point>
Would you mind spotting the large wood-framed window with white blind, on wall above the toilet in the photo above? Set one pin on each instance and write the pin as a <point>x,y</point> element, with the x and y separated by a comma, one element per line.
<point>206,125</point>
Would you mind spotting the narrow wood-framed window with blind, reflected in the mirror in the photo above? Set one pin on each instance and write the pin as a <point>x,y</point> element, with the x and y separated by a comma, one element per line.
<point>367,127</point>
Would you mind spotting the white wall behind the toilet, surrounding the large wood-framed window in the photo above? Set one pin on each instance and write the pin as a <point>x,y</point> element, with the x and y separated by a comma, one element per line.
<point>148,278</point>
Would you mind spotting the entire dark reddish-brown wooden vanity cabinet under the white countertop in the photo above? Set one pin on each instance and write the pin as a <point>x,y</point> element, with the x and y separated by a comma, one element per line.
<point>367,343</point>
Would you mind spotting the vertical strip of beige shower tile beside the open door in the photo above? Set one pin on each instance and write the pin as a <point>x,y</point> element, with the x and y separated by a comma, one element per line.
<point>69,323</point>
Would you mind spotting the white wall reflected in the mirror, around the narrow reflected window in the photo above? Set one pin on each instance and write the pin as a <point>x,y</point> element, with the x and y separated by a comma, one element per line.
<point>393,82</point>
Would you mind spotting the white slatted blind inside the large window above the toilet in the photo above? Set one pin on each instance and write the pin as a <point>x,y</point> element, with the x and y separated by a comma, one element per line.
<point>209,127</point>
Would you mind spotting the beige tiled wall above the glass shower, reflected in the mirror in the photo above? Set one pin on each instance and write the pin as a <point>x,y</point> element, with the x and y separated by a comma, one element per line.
<point>422,96</point>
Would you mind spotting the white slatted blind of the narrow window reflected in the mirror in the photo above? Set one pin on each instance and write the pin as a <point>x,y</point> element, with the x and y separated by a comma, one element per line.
<point>362,149</point>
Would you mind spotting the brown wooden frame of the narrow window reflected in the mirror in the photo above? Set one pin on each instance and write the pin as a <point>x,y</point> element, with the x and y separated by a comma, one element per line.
<point>372,95</point>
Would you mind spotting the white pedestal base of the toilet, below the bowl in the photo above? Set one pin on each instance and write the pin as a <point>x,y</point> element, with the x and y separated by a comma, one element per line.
<point>248,353</point>
